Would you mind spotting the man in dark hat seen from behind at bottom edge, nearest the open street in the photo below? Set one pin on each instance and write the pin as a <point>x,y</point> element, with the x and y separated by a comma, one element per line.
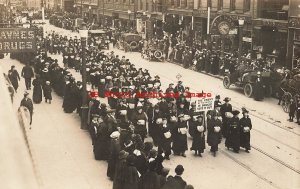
<point>175,182</point>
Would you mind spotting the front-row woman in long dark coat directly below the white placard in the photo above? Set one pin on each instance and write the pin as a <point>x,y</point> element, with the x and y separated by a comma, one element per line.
<point>198,129</point>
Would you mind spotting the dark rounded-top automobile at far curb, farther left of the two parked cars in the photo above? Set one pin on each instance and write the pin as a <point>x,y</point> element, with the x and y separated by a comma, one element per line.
<point>129,42</point>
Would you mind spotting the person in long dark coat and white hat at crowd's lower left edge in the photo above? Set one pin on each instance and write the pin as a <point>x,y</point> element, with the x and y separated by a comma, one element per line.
<point>114,151</point>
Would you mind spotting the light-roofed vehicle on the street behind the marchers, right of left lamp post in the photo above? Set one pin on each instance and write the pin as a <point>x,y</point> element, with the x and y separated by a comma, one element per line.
<point>100,38</point>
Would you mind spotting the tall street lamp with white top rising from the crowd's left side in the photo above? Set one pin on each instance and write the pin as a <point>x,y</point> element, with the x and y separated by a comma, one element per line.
<point>84,108</point>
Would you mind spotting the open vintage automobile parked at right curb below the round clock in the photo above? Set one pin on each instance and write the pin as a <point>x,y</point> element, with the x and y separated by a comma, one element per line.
<point>247,81</point>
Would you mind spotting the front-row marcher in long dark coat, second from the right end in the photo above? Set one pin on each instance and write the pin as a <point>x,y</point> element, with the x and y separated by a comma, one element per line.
<point>234,129</point>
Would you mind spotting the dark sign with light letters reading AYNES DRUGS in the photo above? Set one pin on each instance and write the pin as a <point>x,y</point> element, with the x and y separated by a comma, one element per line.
<point>17,40</point>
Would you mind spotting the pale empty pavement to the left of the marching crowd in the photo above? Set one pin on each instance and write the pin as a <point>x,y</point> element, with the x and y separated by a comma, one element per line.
<point>62,151</point>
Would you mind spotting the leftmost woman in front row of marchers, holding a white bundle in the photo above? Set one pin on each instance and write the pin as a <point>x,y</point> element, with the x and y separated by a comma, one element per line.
<point>165,140</point>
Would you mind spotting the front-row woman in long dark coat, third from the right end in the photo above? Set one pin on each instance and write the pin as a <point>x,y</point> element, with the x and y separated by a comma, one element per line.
<point>213,135</point>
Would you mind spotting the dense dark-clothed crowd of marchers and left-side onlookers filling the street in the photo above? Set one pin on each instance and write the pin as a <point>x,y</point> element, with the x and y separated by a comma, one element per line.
<point>135,134</point>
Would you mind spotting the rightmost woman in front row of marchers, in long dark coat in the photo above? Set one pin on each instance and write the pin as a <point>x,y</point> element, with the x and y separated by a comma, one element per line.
<point>246,126</point>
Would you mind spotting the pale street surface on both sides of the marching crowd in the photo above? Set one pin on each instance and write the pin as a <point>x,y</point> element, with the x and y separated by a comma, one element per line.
<point>64,158</point>
